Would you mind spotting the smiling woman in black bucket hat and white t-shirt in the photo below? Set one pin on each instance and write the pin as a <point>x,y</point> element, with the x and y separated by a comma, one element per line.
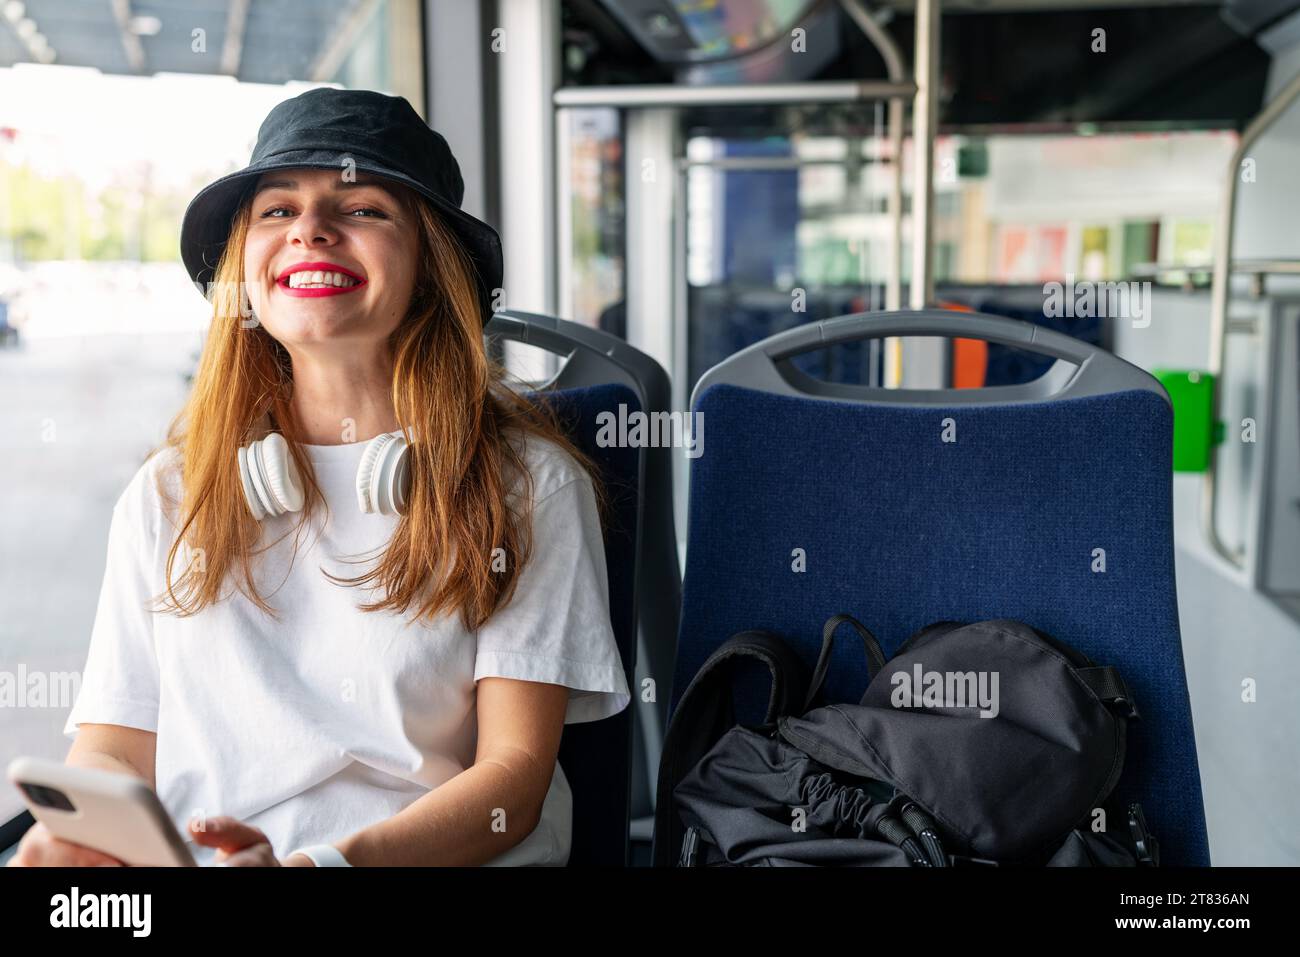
<point>411,713</point>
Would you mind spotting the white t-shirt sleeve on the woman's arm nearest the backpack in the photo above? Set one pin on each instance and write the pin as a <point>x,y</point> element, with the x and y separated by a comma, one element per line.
<point>557,626</point>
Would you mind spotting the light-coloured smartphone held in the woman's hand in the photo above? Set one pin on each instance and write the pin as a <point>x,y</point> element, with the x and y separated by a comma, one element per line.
<point>116,815</point>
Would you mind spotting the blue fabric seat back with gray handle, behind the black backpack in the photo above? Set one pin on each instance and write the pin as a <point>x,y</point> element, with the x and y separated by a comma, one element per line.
<point>1047,503</point>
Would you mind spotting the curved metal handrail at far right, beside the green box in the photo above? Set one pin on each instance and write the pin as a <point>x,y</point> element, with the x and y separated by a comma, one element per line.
<point>1219,304</point>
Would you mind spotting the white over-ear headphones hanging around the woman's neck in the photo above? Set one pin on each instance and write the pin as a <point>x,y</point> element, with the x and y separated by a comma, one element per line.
<point>272,484</point>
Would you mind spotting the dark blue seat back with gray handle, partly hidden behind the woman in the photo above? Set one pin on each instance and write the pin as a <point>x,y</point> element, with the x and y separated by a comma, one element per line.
<point>603,374</point>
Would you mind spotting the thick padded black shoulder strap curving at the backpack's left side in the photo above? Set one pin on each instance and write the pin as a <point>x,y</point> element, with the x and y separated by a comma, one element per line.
<point>707,712</point>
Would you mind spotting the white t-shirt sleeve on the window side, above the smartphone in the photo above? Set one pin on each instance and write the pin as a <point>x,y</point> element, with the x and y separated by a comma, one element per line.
<point>120,682</point>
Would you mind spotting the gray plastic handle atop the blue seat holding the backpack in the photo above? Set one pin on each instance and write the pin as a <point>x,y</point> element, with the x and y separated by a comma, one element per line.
<point>1080,369</point>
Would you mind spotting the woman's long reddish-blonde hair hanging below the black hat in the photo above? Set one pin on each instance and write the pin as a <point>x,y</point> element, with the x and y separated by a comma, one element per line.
<point>447,391</point>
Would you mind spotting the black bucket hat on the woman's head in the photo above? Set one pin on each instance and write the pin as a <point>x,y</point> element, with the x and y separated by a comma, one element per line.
<point>330,129</point>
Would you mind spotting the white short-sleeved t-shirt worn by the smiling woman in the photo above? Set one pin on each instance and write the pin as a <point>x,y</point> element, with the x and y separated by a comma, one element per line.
<point>335,718</point>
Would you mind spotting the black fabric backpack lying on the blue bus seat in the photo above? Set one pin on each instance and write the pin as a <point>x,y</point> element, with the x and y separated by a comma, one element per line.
<point>976,744</point>
